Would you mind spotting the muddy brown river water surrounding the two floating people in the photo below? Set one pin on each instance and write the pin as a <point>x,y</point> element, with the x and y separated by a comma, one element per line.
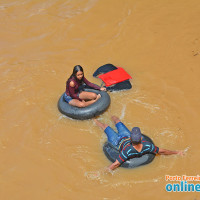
<point>45,155</point>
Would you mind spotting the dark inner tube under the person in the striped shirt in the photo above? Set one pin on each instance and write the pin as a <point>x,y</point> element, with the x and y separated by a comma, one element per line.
<point>112,153</point>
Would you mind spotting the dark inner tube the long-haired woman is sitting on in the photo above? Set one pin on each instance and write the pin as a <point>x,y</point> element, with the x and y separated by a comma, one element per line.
<point>88,112</point>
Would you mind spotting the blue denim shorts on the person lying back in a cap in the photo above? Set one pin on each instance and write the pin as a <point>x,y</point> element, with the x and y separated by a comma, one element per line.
<point>114,137</point>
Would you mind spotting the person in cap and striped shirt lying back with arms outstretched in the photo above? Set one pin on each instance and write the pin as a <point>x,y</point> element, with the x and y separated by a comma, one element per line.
<point>129,143</point>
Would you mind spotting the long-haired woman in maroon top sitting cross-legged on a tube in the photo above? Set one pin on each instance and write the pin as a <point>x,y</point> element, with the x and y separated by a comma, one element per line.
<point>78,98</point>
